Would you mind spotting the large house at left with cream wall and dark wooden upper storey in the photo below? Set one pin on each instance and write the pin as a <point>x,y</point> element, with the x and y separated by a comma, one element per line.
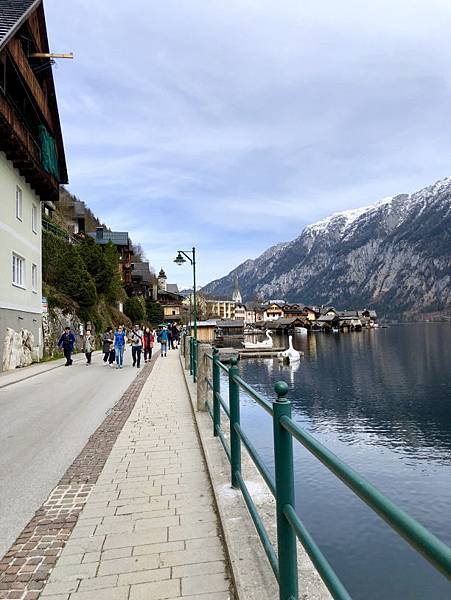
<point>32,167</point>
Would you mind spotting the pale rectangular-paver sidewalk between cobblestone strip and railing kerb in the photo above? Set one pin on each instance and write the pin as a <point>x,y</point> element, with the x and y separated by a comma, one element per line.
<point>148,529</point>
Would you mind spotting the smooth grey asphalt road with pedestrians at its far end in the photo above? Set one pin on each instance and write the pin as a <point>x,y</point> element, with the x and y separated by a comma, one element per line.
<point>45,422</point>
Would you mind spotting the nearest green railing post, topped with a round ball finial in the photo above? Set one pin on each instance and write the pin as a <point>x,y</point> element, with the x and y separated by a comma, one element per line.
<point>283,459</point>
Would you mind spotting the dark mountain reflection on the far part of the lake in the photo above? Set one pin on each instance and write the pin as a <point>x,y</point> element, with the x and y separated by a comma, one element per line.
<point>393,387</point>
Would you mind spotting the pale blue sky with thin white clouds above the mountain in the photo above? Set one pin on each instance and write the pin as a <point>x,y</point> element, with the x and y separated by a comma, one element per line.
<point>229,126</point>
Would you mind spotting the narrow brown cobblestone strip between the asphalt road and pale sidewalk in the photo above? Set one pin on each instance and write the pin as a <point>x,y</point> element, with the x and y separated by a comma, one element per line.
<point>25,568</point>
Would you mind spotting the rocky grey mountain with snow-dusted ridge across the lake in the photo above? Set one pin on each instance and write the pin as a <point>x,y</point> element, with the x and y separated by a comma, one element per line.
<point>394,256</point>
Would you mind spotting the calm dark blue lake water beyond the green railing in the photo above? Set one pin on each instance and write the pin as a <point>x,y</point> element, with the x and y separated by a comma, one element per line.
<point>381,400</point>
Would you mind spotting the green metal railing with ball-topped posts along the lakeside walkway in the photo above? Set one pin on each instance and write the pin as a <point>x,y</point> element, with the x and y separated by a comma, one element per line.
<point>289,525</point>
